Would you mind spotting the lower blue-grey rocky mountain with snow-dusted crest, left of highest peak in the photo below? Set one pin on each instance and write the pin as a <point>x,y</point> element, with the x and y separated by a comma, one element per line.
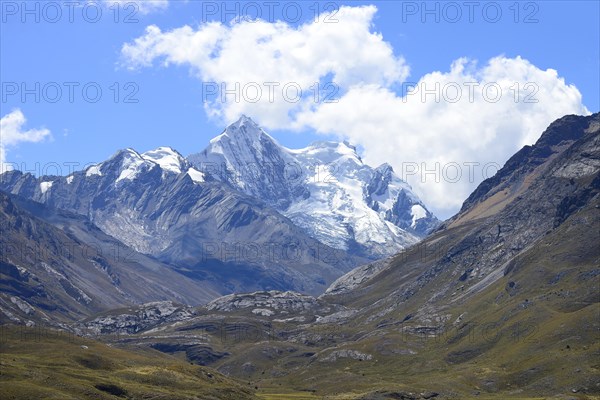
<point>158,204</point>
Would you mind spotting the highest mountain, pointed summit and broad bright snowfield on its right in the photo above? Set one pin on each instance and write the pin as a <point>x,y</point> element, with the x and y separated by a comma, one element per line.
<point>325,188</point>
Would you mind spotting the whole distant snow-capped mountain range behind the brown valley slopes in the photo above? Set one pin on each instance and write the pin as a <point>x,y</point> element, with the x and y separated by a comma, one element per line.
<point>215,225</point>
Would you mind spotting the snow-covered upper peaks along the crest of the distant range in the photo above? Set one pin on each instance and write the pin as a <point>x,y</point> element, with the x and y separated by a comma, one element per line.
<point>325,189</point>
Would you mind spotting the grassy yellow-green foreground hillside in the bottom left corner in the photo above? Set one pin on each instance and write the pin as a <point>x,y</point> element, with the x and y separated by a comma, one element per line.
<point>50,365</point>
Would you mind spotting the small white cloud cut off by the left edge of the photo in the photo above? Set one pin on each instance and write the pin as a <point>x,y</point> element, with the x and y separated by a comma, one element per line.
<point>12,133</point>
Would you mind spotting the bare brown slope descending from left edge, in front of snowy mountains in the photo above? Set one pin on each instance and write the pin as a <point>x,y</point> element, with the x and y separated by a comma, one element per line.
<point>57,267</point>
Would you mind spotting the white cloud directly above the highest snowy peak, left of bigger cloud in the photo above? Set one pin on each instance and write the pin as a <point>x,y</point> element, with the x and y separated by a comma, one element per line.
<point>249,52</point>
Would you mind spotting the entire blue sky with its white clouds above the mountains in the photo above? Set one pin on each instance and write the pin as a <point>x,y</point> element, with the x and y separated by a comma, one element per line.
<point>168,105</point>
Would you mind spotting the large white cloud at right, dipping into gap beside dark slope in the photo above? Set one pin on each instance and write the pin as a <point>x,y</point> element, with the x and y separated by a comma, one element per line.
<point>457,135</point>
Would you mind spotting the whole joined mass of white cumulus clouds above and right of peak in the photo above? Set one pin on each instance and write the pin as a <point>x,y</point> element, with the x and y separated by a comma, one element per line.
<point>444,133</point>
